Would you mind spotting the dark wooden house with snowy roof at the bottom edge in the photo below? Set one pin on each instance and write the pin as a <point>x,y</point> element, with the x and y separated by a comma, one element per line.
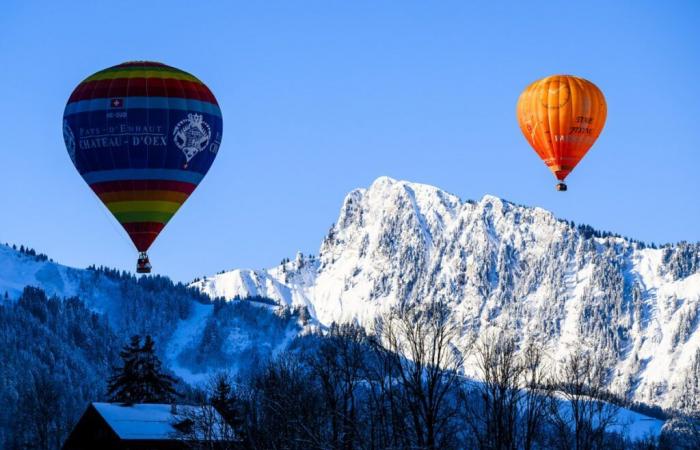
<point>114,426</point>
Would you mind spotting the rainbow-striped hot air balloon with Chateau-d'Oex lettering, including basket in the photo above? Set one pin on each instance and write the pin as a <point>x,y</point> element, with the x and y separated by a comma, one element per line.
<point>142,135</point>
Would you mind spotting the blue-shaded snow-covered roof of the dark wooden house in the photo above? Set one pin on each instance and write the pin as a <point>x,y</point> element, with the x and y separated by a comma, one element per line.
<point>146,421</point>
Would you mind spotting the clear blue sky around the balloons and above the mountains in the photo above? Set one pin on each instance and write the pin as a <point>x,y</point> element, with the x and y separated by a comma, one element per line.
<point>322,97</point>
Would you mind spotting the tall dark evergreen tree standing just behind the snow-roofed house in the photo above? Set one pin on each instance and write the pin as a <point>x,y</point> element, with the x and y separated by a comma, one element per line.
<point>141,379</point>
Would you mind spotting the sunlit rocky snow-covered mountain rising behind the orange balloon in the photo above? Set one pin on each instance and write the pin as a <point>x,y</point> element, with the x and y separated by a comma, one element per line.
<point>501,265</point>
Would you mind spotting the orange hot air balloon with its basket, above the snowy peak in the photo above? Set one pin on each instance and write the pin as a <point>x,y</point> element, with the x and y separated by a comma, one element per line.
<point>561,117</point>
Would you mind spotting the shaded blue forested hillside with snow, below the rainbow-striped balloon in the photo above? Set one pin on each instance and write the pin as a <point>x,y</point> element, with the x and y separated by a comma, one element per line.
<point>61,330</point>
